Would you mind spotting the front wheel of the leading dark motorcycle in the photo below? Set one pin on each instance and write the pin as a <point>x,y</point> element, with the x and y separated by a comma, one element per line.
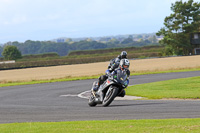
<point>110,95</point>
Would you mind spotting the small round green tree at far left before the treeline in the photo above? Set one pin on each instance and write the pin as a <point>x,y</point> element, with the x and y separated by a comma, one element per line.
<point>10,52</point>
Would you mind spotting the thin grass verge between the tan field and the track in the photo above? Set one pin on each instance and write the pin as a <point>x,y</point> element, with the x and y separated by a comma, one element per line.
<point>14,83</point>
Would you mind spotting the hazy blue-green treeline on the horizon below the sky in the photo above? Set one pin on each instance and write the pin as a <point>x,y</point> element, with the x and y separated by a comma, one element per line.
<point>63,48</point>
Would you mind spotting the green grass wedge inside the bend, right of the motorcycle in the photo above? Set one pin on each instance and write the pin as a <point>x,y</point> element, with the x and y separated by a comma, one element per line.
<point>184,88</point>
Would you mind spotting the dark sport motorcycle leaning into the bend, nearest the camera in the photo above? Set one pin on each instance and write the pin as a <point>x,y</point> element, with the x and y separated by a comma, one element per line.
<point>114,86</point>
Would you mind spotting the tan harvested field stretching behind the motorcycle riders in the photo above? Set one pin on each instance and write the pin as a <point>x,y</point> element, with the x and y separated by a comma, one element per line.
<point>157,64</point>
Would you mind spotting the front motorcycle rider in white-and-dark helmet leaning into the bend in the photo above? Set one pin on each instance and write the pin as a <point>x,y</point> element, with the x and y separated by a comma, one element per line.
<point>124,66</point>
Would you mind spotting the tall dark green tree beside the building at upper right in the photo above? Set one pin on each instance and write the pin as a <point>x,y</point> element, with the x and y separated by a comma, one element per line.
<point>184,20</point>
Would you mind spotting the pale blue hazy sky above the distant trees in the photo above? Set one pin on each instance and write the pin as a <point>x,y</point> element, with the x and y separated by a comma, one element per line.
<point>43,20</point>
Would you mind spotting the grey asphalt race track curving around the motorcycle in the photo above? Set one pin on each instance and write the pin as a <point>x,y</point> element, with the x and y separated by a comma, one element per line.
<point>60,102</point>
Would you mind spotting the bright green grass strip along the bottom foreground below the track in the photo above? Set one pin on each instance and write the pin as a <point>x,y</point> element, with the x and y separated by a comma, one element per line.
<point>108,126</point>
